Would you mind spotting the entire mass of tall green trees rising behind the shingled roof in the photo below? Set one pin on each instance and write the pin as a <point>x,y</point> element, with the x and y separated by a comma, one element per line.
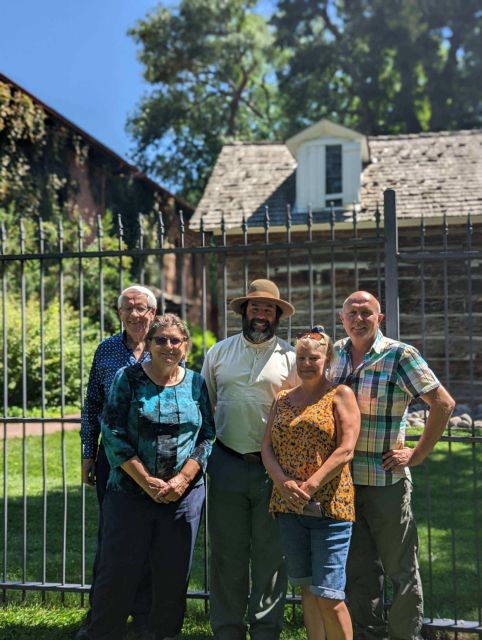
<point>220,71</point>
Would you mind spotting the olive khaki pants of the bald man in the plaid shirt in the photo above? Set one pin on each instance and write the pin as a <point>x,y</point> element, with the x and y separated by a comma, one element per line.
<point>384,543</point>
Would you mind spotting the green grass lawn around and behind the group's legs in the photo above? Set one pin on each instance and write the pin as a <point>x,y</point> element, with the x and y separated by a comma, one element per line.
<point>445,500</point>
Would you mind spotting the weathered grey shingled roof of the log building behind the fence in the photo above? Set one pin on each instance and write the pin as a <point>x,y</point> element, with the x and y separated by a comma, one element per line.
<point>433,174</point>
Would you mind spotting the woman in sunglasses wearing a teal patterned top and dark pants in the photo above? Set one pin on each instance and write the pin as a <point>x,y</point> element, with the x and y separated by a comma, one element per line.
<point>158,432</point>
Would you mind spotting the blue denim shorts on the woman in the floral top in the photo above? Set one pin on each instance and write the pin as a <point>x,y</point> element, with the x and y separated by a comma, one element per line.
<point>316,550</point>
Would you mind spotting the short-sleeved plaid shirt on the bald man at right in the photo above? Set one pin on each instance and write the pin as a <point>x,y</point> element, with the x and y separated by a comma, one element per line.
<point>390,375</point>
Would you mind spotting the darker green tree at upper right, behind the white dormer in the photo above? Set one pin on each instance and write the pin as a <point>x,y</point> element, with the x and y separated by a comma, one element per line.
<point>382,66</point>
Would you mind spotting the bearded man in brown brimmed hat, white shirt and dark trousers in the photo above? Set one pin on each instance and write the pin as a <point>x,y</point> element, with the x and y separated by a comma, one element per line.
<point>243,374</point>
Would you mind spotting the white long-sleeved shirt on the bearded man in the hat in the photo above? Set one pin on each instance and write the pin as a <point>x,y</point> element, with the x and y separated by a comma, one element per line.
<point>243,379</point>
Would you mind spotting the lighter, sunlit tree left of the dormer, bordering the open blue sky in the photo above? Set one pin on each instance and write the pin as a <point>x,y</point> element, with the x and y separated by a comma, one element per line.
<point>210,63</point>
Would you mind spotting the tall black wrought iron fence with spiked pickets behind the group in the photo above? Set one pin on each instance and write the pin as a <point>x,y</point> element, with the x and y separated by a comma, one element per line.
<point>58,293</point>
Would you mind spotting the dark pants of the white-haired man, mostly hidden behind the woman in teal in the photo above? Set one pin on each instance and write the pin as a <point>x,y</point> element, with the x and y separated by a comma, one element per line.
<point>141,604</point>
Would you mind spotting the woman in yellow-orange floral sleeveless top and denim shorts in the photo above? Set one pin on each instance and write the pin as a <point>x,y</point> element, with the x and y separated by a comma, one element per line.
<point>309,441</point>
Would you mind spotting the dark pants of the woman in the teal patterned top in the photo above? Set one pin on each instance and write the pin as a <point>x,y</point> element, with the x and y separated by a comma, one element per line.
<point>136,528</point>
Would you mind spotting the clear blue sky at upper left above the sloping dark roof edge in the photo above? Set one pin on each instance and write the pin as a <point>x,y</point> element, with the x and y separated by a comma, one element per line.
<point>76,57</point>
